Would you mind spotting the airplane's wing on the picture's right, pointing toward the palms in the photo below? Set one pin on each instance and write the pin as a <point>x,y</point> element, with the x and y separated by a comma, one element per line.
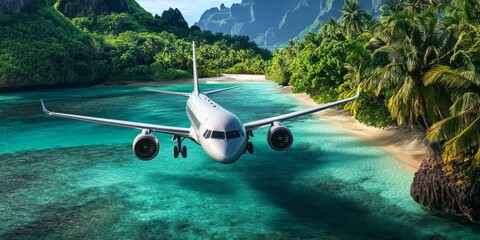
<point>268,121</point>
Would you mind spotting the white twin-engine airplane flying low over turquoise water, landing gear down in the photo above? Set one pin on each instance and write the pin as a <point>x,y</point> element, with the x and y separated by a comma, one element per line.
<point>219,132</point>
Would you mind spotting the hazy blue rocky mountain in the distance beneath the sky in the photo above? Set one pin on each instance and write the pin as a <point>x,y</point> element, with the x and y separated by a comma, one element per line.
<point>274,22</point>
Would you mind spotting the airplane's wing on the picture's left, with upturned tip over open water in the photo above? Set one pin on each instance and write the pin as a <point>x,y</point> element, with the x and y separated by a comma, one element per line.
<point>178,131</point>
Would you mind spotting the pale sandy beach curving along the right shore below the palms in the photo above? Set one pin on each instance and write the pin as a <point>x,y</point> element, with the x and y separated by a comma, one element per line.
<point>408,147</point>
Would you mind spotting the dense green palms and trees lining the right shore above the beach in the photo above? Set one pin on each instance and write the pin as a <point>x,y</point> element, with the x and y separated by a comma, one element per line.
<point>418,66</point>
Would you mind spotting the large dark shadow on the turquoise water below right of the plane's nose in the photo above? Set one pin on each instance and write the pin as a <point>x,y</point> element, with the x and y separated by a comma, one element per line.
<point>321,206</point>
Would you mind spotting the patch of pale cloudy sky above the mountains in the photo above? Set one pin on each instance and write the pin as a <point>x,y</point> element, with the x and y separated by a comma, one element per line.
<point>191,10</point>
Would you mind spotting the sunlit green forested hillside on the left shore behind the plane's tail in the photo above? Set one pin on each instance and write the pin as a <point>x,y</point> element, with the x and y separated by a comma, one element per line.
<point>42,47</point>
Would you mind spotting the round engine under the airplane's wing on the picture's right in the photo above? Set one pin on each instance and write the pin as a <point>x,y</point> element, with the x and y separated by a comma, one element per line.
<point>279,137</point>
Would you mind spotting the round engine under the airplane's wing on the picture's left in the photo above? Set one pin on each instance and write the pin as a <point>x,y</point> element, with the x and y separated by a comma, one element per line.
<point>146,146</point>
